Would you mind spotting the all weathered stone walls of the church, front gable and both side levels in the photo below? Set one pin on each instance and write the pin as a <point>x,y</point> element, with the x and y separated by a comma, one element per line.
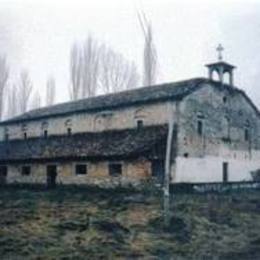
<point>224,117</point>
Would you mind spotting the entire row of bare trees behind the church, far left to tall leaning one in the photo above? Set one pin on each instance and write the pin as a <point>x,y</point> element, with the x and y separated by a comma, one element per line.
<point>95,68</point>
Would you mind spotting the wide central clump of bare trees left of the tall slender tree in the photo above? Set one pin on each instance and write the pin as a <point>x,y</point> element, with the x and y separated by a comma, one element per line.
<point>96,68</point>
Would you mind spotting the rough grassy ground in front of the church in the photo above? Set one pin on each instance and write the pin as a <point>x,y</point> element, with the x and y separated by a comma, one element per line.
<point>70,223</point>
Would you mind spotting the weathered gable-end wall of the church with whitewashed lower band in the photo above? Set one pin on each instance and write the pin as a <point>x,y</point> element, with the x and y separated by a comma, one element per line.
<point>224,117</point>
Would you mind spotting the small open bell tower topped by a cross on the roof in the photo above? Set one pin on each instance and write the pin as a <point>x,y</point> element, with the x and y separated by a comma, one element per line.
<point>221,67</point>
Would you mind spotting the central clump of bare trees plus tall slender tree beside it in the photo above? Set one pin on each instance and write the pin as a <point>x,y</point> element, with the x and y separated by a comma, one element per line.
<point>95,67</point>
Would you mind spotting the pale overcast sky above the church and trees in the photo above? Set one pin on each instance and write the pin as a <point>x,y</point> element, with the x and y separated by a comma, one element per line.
<point>37,35</point>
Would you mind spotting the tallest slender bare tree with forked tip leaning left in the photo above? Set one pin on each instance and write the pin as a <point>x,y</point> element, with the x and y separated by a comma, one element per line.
<point>150,53</point>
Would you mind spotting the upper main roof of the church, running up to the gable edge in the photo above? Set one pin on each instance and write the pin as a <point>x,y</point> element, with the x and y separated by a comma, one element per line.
<point>170,91</point>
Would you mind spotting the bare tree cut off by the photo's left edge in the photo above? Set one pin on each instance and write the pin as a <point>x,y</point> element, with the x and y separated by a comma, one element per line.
<point>4,73</point>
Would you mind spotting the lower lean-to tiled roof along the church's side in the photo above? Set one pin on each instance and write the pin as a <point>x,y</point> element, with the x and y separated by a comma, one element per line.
<point>109,144</point>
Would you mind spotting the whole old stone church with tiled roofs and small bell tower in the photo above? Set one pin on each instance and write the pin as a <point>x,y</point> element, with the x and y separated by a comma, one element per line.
<point>199,130</point>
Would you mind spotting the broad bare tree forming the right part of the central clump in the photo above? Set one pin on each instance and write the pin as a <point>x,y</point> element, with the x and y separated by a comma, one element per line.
<point>116,73</point>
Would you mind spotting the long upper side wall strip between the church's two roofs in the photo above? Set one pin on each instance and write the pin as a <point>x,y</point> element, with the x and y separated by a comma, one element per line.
<point>121,118</point>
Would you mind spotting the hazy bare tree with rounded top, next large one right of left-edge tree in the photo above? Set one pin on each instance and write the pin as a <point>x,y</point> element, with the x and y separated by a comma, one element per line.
<point>25,91</point>
